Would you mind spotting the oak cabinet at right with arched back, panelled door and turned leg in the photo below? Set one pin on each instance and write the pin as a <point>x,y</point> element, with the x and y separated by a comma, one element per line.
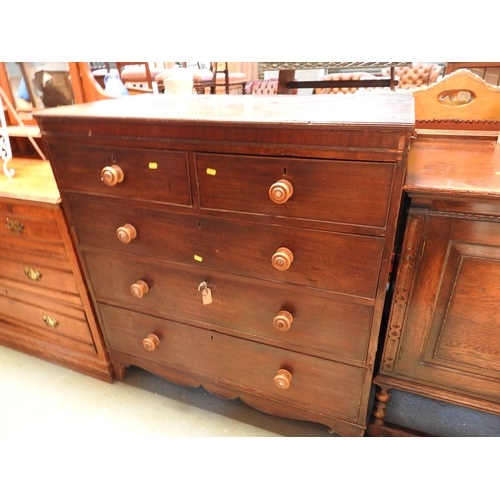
<point>443,334</point>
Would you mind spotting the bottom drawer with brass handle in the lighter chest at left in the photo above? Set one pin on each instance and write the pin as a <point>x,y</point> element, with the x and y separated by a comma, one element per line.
<point>36,312</point>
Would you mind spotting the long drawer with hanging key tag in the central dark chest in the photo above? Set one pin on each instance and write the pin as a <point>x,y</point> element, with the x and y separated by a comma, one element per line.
<point>245,305</point>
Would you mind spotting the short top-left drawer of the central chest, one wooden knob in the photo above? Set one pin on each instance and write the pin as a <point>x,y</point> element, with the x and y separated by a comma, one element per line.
<point>148,174</point>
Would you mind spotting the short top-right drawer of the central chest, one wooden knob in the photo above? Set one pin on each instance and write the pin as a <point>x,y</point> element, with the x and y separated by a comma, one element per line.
<point>335,191</point>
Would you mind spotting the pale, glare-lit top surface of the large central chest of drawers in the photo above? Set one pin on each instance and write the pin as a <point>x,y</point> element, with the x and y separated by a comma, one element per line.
<point>394,109</point>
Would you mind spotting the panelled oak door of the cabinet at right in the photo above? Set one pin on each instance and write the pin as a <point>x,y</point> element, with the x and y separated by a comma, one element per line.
<point>451,333</point>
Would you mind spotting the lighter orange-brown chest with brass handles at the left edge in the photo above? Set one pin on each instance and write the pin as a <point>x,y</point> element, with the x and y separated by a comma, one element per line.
<point>45,309</point>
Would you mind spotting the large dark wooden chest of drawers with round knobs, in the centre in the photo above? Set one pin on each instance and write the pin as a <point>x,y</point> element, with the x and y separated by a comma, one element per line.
<point>239,242</point>
